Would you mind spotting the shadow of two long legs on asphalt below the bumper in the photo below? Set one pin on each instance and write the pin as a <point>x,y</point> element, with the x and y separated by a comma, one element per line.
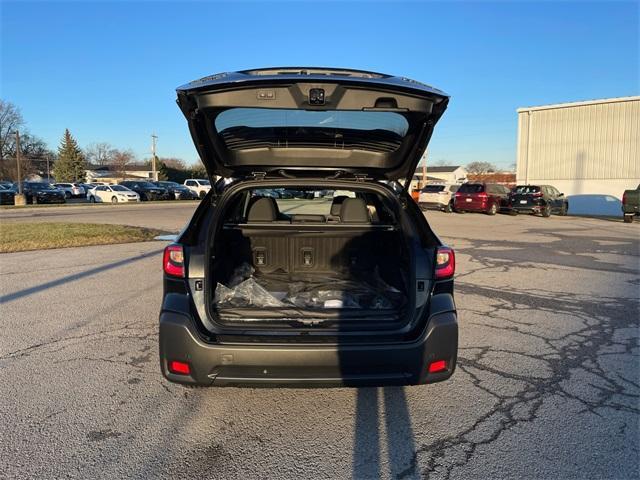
<point>368,432</point>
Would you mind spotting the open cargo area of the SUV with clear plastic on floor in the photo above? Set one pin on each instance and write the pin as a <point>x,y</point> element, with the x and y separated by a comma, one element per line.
<point>347,261</point>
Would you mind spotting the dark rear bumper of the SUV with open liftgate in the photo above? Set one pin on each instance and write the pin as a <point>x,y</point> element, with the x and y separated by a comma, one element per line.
<point>307,365</point>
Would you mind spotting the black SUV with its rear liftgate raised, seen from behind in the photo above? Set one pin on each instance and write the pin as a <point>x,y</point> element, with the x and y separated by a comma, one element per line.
<point>348,288</point>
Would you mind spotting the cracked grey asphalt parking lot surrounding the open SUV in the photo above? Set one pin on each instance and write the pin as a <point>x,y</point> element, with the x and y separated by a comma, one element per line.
<point>547,384</point>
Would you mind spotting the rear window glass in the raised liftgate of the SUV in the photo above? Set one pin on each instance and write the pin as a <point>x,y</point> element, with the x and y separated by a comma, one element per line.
<point>263,127</point>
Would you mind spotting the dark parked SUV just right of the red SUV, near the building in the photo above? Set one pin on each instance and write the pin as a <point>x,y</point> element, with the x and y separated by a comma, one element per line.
<point>537,199</point>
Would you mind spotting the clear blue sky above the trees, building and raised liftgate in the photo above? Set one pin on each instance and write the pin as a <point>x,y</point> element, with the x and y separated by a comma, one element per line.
<point>108,70</point>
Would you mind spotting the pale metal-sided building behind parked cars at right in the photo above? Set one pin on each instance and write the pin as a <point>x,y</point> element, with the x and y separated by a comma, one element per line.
<point>587,150</point>
